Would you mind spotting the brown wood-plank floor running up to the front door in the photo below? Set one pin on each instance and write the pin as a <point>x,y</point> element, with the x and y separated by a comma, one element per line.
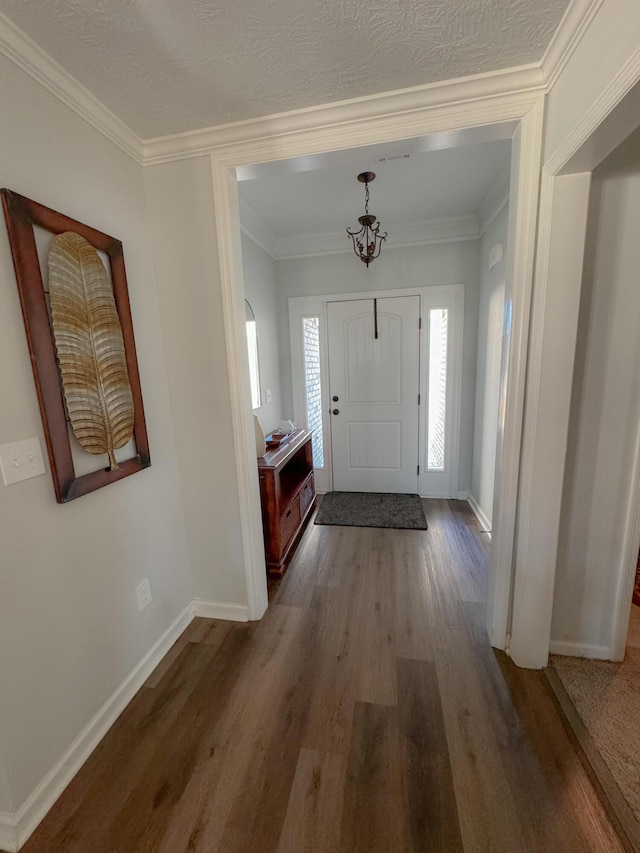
<point>366,712</point>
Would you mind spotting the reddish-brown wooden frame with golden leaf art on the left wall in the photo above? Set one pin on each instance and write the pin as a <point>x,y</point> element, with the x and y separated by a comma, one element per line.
<point>82,345</point>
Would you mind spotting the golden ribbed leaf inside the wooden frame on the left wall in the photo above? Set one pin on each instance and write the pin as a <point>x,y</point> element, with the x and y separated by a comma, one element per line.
<point>90,347</point>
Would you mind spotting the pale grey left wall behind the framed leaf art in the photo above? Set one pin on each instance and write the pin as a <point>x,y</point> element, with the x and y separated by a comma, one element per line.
<point>70,629</point>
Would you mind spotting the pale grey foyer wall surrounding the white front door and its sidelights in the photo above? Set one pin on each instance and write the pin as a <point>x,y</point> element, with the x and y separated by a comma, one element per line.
<point>412,266</point>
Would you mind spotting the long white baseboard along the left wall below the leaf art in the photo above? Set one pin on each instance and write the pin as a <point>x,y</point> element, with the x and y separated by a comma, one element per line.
<point>16,829</point>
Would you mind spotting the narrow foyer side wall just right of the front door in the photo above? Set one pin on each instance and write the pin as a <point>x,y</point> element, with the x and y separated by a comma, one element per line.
<point>488,363</point>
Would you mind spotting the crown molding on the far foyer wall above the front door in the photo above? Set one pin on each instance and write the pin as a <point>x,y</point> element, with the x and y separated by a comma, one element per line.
<point>446,230</point>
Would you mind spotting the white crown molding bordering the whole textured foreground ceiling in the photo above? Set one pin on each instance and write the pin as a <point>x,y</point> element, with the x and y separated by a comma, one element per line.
<point>534,78</point>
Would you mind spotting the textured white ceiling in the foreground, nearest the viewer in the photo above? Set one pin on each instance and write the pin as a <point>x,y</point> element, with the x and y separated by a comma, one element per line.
<point>166,66</point>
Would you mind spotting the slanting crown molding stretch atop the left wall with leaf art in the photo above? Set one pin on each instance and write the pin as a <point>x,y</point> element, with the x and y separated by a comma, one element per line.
<point>27,55</point>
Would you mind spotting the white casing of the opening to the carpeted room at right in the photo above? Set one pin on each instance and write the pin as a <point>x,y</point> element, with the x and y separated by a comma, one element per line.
<point>564,203</point>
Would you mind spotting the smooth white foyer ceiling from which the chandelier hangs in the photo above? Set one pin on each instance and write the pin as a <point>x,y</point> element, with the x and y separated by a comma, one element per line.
<point>414,184</point>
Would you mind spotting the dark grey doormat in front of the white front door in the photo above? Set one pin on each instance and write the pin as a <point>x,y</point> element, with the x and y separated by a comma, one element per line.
<point>371,509</point>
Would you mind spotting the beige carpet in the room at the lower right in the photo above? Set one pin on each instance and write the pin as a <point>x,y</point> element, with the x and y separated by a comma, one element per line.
<point>607,697</point>
